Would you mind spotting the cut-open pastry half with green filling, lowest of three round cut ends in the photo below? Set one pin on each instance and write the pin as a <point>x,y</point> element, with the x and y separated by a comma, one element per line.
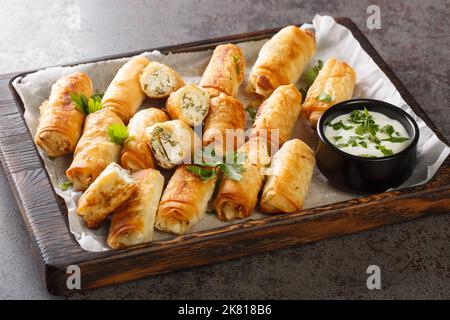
<point>171,142</point>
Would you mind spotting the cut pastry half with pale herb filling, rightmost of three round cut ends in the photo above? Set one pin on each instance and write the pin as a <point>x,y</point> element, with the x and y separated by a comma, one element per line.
<point>189,104</point>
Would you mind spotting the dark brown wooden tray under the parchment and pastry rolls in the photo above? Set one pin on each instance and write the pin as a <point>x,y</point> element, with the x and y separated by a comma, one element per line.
<point>56,249</point>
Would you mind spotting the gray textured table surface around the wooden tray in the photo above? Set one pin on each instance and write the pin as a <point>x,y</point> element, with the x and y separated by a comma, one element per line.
<point>414,40</point>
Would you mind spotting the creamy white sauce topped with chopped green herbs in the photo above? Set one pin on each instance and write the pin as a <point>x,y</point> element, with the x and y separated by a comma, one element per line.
<point>367,134</point>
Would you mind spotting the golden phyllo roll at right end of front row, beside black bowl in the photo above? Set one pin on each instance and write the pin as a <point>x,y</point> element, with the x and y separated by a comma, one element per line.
<point>289,176</point>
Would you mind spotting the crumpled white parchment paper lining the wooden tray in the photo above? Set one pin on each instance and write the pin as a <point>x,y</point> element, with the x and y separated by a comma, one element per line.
<point>333,40</point>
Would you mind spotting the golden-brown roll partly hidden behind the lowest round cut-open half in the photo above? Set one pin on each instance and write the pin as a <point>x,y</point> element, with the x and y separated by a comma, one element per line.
<point>136,154</point>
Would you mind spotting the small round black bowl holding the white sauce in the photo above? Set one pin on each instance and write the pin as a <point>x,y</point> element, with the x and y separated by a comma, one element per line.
<point>360,173</point>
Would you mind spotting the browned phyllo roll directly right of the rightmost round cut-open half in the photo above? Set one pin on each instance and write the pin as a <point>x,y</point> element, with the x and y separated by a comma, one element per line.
<point>226,114</point>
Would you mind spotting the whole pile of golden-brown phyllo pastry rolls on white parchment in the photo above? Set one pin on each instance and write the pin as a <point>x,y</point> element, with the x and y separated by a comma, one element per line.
<point>123,181</point>
